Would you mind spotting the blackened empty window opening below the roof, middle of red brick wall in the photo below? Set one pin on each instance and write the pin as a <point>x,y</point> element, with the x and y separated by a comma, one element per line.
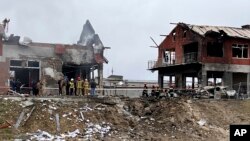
<point>214,49</point>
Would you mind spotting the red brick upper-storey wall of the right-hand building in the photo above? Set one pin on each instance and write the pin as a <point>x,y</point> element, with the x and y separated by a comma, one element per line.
<point>176,43</point>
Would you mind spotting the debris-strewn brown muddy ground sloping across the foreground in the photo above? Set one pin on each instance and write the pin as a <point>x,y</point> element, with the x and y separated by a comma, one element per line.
<point>120,118</point>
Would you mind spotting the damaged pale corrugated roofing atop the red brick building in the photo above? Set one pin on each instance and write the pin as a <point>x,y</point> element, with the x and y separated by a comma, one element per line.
<point>229,31</point>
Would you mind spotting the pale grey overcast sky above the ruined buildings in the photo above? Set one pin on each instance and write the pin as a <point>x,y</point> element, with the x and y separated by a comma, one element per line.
<point>123,25</point>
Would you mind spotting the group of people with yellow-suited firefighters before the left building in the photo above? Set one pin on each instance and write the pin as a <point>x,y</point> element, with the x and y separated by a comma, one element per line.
<point>76,87</point>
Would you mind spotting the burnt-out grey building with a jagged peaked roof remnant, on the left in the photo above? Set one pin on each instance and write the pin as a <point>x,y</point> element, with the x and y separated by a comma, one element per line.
<point>29,61</point>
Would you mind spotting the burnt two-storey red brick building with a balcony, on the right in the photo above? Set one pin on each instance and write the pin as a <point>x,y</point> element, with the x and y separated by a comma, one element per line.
<point>198,55</point>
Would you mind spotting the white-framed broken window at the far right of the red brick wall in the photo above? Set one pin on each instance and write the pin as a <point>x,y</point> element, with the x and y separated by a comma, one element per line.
<point>240,51</point>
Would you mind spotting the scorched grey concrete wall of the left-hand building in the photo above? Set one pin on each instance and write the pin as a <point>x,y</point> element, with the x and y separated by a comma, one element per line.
<point>45,54</point>
